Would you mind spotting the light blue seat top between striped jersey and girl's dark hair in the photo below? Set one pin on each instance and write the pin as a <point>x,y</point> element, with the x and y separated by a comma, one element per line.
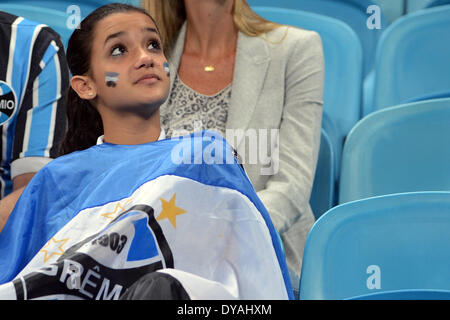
<point>53,18</point>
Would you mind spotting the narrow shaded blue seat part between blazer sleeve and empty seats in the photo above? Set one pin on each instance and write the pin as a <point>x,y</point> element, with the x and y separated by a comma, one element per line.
<point>322,194</point>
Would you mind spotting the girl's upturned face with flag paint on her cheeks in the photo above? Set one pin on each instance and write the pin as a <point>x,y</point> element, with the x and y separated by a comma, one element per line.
<point>128,66</point>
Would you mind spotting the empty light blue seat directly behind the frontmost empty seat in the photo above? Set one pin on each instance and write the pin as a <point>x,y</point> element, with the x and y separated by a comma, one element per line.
<point>399,149</point>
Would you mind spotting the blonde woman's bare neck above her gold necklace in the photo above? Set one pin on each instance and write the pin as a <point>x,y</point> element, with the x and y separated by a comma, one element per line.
<point>211,31</point>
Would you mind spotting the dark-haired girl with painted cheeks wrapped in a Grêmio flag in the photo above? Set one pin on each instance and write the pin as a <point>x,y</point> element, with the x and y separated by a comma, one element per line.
<point>125,218</point>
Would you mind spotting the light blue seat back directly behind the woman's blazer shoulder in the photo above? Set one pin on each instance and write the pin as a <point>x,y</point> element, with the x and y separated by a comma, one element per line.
<point>343,68</point>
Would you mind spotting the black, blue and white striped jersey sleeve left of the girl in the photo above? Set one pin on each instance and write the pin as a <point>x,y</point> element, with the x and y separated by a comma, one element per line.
<point>41,121</point>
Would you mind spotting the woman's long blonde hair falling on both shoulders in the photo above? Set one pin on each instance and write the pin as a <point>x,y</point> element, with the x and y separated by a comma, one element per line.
<point>171,14</point>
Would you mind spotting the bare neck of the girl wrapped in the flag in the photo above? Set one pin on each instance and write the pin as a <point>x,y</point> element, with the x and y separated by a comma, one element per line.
<point>131,129</point>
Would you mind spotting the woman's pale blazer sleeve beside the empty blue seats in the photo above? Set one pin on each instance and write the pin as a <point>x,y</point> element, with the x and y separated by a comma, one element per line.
<point>287,192</point>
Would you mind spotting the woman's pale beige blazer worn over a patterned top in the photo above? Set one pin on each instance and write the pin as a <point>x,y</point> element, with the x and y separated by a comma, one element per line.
<point>278,84</point>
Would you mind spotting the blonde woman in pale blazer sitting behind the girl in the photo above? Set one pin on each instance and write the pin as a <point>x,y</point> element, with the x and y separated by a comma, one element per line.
<point>239,74</point>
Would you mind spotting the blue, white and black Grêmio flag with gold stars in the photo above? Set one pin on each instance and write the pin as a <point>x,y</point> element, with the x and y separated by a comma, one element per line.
<point>93,222</point>
